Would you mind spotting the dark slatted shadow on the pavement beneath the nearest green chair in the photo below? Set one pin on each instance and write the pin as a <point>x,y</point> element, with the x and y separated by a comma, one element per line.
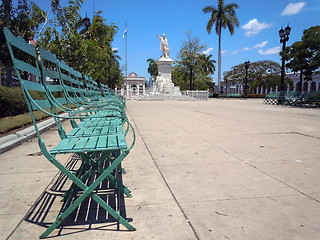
<point>88,214</point>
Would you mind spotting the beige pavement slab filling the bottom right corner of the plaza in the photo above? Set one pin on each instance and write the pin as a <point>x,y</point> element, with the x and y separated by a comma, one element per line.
<point>285,218</point>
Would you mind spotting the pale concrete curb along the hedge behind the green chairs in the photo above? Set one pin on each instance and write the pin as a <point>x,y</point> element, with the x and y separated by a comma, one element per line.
<point>15,139</point>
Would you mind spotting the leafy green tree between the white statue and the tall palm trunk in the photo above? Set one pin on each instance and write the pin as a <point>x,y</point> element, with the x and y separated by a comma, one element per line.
<point>192,70</point>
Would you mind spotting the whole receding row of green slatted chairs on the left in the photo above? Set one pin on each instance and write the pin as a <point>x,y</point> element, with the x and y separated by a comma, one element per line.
<point>100,127</point>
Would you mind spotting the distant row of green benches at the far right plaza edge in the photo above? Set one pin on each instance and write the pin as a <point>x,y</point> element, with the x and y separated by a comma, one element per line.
<point>294,98</point>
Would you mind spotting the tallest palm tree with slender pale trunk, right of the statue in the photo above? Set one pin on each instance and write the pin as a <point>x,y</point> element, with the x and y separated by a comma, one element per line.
<point>224,16</point>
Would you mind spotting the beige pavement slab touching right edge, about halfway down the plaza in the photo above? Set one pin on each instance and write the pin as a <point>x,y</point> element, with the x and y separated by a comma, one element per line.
<point>270,147</point>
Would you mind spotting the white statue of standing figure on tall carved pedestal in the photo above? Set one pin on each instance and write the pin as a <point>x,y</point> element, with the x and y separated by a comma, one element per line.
<point>164,83</point>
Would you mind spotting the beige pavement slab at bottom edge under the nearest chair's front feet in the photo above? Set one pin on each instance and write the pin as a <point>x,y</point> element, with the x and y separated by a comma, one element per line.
<point>158,221</point>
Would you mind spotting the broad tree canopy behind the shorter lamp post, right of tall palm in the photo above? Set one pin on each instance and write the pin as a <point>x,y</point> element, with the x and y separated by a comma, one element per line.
<point>263,73</point>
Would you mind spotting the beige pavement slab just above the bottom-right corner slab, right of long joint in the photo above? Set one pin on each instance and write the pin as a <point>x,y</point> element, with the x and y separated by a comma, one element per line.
<point>221,181</point>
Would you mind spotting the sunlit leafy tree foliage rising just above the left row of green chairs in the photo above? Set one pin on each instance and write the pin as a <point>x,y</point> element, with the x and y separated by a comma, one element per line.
<point>86,49</point>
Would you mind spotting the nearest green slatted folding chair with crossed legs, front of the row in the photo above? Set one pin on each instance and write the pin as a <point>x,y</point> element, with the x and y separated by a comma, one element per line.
<point>94,150</point>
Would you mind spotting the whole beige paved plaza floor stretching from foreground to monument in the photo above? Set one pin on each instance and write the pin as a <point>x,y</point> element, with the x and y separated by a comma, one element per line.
<point>217,169</point>
